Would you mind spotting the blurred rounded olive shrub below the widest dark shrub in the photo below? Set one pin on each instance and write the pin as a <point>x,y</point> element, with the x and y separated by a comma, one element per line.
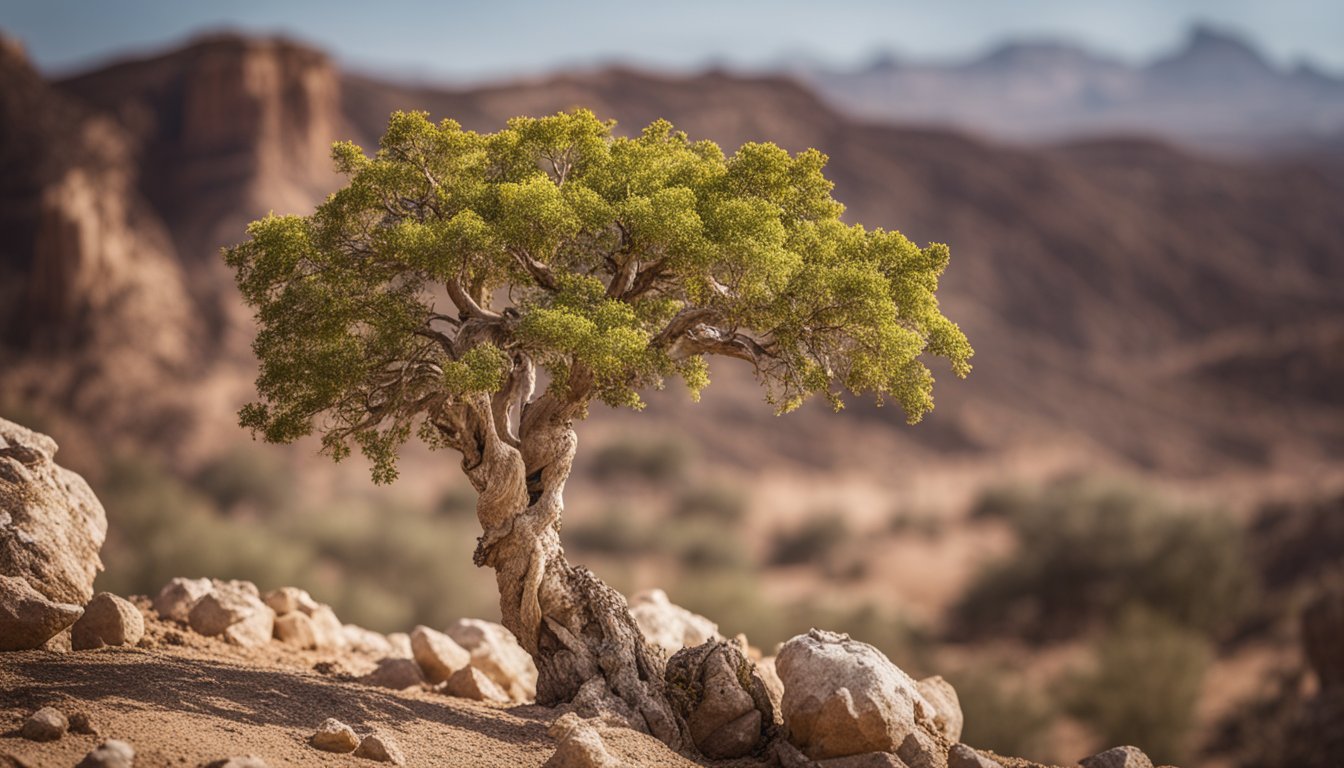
<point>1143,687</point>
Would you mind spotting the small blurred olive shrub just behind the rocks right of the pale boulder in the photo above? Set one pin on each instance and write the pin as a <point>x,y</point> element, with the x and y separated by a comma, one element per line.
<point>1003,714</point>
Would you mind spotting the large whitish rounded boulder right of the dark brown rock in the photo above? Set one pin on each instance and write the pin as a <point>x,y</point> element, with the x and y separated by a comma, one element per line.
<point>843,697</point>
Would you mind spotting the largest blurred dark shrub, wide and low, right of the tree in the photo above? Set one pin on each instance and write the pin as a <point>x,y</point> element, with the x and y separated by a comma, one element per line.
<point>1088,549</point>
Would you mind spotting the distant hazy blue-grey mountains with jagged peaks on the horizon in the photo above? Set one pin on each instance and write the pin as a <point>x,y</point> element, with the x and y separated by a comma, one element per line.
<point>1217,92</point>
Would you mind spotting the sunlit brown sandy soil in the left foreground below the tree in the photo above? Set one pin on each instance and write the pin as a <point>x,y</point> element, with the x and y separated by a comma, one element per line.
<point>187,700</point>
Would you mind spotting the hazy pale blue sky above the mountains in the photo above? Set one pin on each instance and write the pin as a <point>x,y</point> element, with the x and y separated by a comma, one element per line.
<point>475,40</point>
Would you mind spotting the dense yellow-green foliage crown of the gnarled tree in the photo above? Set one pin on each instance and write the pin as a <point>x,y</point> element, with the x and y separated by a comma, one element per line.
<point>595,244</point>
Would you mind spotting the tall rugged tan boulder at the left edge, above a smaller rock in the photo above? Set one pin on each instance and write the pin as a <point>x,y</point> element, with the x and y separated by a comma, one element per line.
<point>52,525</point>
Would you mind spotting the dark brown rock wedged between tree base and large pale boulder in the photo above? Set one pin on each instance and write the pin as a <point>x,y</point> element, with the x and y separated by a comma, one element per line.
<point>706,688</point>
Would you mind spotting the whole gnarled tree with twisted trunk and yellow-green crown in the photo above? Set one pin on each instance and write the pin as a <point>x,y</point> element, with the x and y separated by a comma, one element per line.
<point>425,297</point>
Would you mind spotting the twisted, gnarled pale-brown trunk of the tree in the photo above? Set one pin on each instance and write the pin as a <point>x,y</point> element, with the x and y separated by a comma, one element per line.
<point>577,629</point>
